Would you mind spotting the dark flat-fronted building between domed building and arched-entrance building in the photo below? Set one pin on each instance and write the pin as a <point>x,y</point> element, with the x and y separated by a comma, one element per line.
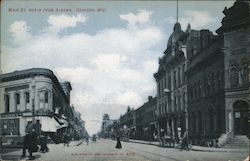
<point>205,77</point>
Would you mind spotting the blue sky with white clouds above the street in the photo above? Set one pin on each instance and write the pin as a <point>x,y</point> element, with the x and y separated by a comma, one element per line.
<point>108,50</point>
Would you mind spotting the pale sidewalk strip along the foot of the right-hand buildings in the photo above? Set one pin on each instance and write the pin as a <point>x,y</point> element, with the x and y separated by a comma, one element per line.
<point>195,147</point>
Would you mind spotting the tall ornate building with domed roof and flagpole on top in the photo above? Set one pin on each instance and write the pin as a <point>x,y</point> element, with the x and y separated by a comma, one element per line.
<point>172,84</point>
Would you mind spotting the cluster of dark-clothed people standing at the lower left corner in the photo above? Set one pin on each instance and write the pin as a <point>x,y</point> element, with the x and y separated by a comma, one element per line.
<point>30,143</point>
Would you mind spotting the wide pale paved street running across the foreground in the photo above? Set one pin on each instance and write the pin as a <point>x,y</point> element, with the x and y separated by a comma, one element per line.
<point>104,150</point>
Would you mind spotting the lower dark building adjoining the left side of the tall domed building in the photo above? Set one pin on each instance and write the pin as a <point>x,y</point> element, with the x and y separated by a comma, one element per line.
<point>145,120</point>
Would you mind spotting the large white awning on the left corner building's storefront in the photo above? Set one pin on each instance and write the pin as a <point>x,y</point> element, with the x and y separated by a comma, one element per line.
<point>48,124</point>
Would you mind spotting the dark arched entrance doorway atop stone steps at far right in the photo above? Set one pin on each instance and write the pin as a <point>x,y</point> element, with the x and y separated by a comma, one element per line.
<point>240,117</point>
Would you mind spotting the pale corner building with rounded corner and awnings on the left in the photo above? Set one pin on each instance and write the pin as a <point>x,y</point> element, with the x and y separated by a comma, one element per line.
<point>32,98</point>
